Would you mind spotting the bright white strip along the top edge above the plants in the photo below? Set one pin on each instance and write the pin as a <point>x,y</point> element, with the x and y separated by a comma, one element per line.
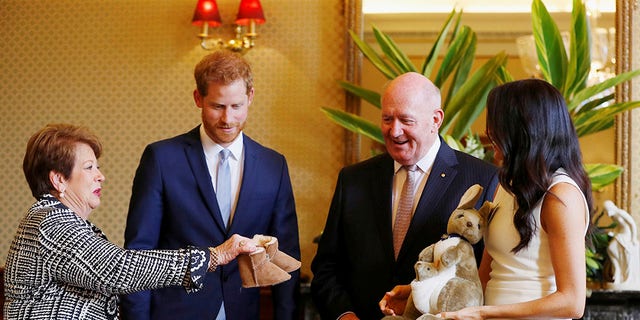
<point>434,6</point>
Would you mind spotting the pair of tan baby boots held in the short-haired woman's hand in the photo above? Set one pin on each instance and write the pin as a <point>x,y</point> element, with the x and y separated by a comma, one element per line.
<point>267,265</point>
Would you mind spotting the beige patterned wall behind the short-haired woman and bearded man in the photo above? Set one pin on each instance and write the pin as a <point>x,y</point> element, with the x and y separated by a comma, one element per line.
<point>125,69</point>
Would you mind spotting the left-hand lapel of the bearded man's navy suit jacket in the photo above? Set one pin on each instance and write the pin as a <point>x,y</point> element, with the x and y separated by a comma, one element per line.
<point>195,157</point>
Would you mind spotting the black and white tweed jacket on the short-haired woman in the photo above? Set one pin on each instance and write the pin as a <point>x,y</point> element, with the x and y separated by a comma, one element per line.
<point>61,266</point>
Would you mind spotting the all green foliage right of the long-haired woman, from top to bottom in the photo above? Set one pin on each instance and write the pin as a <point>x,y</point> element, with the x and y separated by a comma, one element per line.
<point>590,110</point>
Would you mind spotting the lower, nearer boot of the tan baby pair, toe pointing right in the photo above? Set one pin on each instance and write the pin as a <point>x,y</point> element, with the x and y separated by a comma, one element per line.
<point>257,271</point>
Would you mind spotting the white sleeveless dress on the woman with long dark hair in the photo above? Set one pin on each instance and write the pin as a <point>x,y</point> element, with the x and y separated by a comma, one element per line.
<point>527,275</point>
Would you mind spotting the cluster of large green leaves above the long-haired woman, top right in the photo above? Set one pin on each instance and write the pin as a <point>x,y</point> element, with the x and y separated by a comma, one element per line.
<point>569,74</point>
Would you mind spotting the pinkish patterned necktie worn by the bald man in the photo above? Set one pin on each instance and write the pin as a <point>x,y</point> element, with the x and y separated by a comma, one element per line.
<point>405,207</point>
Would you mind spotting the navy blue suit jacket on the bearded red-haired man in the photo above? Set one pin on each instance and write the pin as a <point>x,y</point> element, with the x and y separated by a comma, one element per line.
<point>173,205</point>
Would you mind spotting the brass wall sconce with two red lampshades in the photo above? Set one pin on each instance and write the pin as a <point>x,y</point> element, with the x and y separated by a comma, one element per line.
<point>249,14</point>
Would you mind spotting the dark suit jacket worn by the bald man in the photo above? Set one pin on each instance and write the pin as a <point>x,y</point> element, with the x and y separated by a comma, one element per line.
<point>355,264</point>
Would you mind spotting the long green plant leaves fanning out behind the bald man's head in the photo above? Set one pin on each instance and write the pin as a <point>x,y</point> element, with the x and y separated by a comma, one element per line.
<point>463,99</point>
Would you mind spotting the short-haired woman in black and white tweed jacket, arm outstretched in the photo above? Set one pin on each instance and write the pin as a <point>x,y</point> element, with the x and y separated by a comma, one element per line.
<point>60,265</point>
